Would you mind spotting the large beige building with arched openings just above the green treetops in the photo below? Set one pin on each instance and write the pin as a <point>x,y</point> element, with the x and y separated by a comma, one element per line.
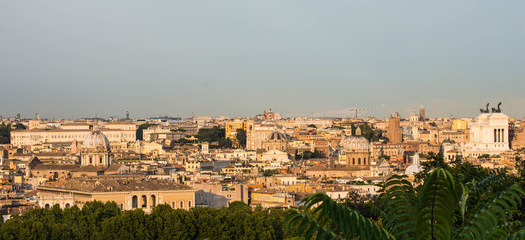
<point>129,193</point>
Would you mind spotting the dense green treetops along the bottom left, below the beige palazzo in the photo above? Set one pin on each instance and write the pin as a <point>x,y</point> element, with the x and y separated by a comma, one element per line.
<point>97,220</point>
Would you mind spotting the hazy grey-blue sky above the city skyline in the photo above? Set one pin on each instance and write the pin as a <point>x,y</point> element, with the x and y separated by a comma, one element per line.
<point>73,59</point>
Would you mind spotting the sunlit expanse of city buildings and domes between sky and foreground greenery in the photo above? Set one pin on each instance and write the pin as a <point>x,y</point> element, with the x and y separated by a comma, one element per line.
<point>265,161</point>
